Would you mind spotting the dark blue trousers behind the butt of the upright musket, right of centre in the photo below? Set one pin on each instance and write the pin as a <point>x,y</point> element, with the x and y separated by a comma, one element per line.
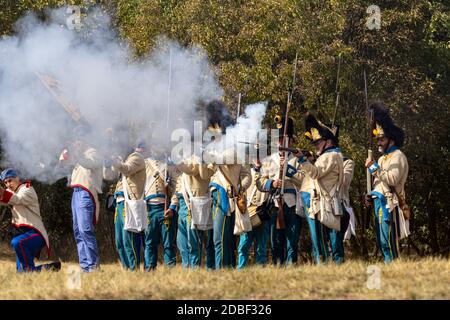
<point>284,242</point>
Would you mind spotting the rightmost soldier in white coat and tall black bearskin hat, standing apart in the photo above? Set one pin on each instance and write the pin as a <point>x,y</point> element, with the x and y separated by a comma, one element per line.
<point>390,173</point>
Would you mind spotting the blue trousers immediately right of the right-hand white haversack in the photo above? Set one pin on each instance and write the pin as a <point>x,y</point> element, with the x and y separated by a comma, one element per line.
<point>224,241</point>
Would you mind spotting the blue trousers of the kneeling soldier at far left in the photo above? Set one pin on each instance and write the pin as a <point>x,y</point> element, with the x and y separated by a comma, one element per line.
<point>27,246</point>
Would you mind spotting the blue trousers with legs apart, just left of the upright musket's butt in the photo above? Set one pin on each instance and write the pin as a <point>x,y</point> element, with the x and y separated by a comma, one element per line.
<point>259,236</point>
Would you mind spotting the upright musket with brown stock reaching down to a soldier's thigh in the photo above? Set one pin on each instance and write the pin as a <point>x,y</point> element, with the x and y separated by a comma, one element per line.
<point>280,223</point>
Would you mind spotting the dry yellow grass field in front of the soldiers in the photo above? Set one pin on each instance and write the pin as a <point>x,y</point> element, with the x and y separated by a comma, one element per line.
<point>405,279</point>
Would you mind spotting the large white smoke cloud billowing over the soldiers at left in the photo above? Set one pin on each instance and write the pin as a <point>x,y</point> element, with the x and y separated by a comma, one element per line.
<point>95,72</point>
